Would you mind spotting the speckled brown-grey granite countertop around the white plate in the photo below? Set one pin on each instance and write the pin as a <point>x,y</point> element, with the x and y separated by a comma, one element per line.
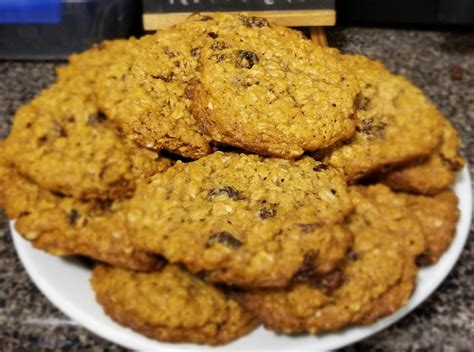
<point>441,63</point>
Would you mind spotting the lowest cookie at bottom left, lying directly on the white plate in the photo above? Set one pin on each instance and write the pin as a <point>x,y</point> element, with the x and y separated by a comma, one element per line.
<point>171,305</point>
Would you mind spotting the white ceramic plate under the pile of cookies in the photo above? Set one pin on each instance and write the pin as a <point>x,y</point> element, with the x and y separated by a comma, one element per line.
<point>66,283</point>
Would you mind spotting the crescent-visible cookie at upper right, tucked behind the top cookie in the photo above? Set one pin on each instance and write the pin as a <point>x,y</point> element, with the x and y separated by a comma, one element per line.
<point>396,123</point>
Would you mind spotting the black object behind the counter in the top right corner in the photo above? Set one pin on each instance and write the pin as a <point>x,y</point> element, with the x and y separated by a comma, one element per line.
<point>406,12</point>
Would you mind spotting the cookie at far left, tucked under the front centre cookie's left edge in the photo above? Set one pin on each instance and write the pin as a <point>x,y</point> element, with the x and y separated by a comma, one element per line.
<point>64,226</point>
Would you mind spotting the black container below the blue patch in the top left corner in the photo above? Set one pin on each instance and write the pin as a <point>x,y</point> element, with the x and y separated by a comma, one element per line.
<point>82,23</point>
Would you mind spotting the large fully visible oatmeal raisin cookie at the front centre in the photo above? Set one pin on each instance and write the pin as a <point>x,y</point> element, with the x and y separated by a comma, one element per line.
<point>244,219</point>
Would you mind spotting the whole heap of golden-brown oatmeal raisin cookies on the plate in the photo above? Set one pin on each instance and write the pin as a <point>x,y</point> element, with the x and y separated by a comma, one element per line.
<point>227,173</point>
